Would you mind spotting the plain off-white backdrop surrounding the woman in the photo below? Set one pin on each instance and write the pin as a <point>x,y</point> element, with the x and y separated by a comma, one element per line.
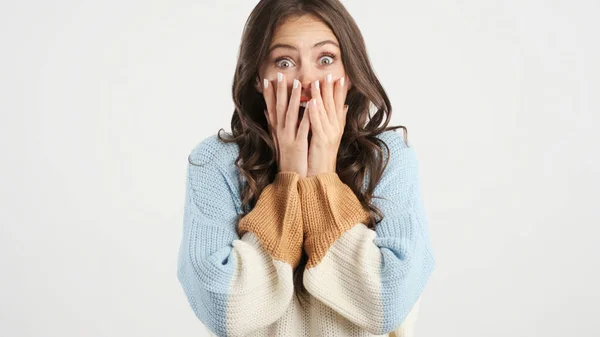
<point>101,102</point>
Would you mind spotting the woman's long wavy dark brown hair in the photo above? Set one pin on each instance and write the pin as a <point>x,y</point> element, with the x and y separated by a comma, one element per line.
<point>360,150</point>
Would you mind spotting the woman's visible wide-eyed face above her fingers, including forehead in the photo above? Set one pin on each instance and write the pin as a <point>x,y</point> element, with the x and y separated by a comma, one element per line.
<point>302,48</point>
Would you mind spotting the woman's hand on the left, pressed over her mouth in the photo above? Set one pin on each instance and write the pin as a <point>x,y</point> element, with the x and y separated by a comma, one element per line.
<point>291,139</point>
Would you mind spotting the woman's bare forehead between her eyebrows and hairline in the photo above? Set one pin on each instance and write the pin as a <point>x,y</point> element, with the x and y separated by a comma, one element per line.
<point>301,30</point>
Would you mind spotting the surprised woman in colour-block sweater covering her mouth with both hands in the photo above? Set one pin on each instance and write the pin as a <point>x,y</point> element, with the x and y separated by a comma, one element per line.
<point>309,221</point>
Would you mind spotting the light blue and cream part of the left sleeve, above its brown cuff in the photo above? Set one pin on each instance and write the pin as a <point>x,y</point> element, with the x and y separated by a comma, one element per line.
<point>220,272</point>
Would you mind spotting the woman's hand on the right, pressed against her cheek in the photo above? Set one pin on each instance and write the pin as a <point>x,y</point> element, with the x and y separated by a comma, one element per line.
<point>327,122</point>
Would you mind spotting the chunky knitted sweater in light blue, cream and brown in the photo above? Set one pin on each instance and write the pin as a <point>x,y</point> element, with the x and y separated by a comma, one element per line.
<point>236,270</point>
